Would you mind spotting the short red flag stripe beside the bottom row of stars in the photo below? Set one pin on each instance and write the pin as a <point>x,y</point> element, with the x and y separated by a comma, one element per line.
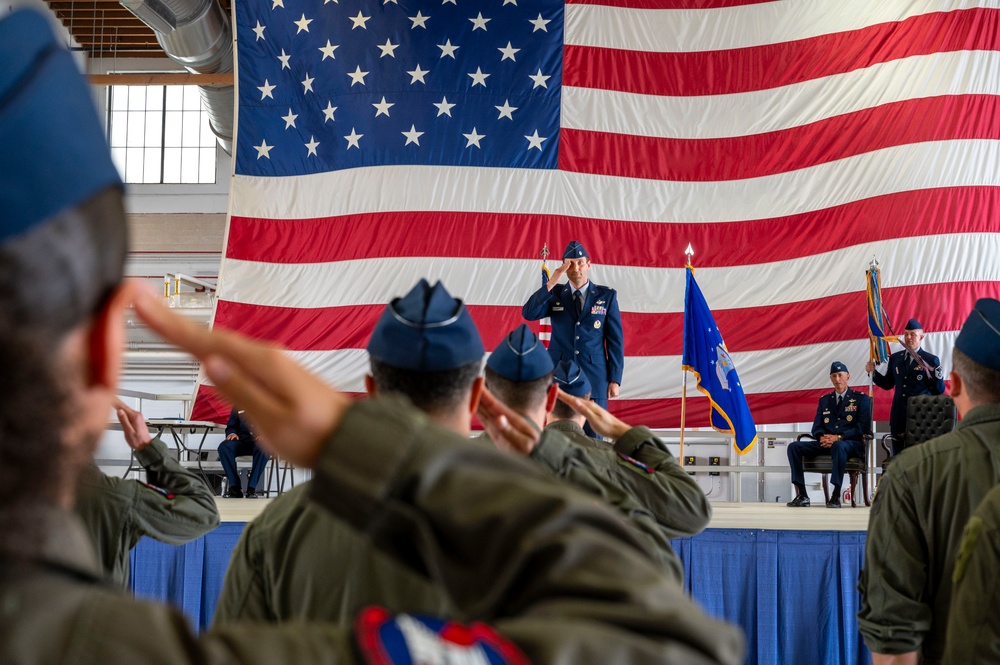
<point>944,118</point>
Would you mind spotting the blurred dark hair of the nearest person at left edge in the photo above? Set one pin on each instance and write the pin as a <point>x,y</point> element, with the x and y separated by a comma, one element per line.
<point>53,277</point>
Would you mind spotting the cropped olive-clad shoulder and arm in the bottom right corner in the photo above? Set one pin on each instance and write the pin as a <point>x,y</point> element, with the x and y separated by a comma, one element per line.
<point>973,636</point>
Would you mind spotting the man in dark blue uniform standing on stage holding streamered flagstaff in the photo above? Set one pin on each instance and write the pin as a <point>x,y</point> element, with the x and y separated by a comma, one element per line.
<point>909,378</point>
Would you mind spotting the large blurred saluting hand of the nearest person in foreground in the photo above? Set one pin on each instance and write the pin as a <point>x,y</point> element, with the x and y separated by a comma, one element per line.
<point>291,409</point>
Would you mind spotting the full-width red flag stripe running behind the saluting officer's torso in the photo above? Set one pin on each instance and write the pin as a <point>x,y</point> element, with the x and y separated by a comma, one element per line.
<point>831,319</point>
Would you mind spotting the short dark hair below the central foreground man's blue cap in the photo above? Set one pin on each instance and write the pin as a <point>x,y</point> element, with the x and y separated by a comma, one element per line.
<point>431,392</point>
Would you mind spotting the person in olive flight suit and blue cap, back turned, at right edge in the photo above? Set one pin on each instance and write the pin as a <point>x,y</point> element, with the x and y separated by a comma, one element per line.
<point>923,503</point>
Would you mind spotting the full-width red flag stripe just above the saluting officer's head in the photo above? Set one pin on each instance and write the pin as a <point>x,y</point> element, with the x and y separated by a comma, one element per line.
<point>612,242</point>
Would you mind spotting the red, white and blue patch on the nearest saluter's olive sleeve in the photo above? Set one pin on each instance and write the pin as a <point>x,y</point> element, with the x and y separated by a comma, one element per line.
<point>405,639</point>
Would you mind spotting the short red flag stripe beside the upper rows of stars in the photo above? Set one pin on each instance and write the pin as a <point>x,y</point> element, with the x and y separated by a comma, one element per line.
<point>771,66</point>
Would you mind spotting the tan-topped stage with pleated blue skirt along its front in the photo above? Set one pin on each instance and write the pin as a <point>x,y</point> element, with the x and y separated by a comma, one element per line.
<point>787,576</point>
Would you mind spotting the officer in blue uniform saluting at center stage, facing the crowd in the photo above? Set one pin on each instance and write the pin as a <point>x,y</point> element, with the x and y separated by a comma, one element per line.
<point>586,323</point>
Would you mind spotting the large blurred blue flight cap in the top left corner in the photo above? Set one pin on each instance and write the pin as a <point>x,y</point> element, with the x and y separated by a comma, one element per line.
<point>55,154</point>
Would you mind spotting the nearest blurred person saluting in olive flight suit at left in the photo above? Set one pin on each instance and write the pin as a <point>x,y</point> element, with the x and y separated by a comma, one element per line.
<point>548,575</point>
